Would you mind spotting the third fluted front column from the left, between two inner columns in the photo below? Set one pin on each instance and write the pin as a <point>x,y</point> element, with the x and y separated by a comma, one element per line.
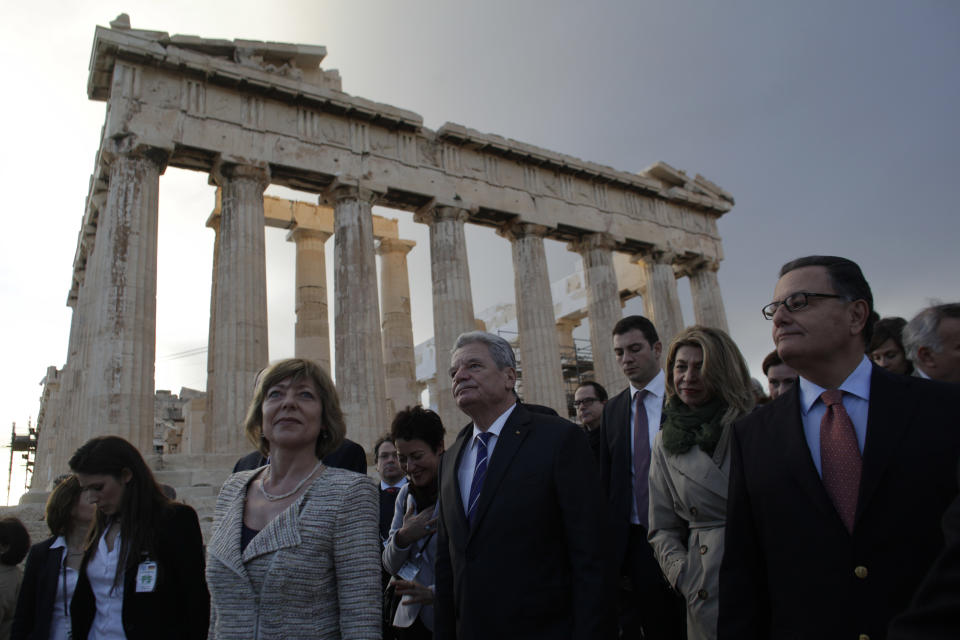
<point>357,338</point>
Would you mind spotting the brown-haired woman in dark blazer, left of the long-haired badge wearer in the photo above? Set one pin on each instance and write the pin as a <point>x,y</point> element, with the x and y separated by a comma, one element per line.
<point>43,608</point>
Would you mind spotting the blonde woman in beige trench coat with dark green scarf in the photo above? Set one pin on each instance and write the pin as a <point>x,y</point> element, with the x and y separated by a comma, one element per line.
<point>708,388</point>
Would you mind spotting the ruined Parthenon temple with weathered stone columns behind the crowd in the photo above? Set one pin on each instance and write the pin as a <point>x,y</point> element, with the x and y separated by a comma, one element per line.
<point>250,114</point>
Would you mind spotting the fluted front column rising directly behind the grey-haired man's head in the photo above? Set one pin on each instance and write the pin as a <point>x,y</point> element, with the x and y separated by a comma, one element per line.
<point>452,301</point>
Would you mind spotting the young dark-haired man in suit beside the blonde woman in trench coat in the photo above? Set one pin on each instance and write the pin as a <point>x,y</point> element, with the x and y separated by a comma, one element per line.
<point>649,607</point>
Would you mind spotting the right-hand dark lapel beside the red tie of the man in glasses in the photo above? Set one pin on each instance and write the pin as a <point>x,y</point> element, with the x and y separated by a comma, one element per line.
<point>887,420</point>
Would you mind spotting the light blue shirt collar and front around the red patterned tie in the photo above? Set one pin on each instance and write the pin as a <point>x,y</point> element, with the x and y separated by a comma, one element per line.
<point>856,400</point>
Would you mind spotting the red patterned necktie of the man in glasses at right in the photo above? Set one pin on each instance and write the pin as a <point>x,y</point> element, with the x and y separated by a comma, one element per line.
<point>840,457</point>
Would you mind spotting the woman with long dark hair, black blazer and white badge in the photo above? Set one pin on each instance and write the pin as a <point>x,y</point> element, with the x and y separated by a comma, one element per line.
<point>143,567</point>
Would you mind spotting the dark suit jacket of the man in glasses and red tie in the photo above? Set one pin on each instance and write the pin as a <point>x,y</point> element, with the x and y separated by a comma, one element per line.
<point>790,568</point>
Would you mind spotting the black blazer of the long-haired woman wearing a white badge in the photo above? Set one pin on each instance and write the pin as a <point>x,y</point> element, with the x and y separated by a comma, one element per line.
<point>179,606</point>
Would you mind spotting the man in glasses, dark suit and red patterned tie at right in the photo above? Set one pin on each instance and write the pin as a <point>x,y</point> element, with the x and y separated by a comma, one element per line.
<point>837,487</point>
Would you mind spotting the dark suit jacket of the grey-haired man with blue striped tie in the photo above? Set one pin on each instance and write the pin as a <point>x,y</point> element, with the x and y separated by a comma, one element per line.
<point>531,565</point>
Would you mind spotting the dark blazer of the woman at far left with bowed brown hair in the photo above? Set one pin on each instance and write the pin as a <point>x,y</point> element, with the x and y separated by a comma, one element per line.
<point>38,591</point>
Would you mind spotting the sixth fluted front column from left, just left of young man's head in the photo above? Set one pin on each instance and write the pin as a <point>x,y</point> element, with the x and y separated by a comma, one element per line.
<point>603,305</point>
